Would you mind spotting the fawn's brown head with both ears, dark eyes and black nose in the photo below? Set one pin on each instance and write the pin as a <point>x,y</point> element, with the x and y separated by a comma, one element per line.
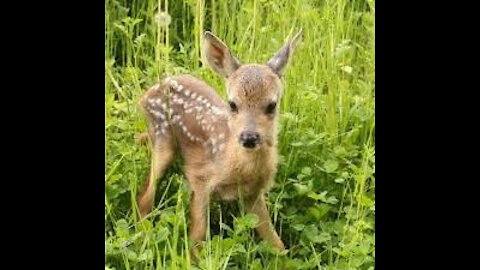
<point>254,91</point>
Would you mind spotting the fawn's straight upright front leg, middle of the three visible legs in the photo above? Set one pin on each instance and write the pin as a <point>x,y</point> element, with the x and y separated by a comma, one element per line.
<point>198,210</point>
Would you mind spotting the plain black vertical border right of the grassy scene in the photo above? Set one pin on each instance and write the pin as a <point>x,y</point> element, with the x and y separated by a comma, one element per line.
<point>424,218</point>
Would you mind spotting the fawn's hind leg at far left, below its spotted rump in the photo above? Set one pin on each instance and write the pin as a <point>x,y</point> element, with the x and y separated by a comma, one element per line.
<point>161,157</point>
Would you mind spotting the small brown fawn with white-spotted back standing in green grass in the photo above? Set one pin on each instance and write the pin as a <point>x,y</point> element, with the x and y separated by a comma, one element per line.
<point>229,149</point>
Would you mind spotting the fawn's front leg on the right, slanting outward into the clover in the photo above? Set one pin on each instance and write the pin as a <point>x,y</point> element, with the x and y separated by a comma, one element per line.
<point>257,205</point>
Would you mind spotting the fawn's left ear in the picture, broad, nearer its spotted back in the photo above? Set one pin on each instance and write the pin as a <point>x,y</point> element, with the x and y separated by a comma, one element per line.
<point>219,57</point>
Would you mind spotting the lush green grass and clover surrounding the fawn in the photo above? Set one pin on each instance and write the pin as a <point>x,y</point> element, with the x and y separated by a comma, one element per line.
<point>323,200</point>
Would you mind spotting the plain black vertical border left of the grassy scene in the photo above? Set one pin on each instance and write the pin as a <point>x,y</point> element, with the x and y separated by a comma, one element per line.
<point>53,184</point>
